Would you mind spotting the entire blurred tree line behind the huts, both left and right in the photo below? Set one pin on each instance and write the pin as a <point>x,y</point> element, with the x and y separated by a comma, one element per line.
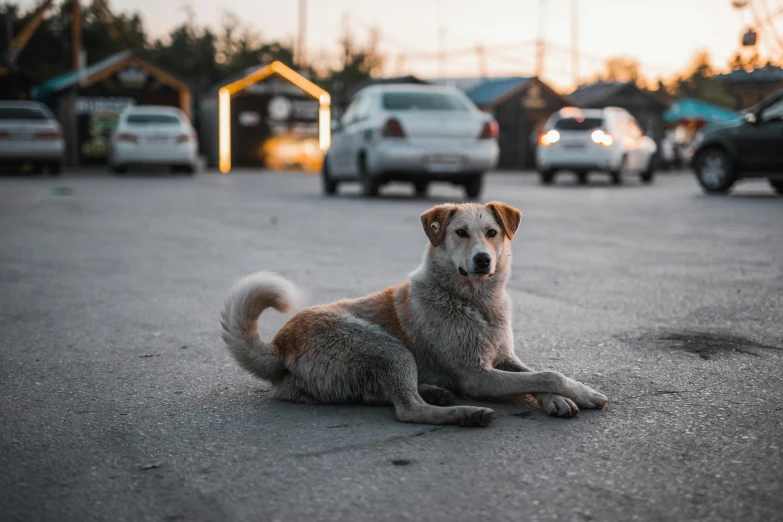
<point>206,56</point>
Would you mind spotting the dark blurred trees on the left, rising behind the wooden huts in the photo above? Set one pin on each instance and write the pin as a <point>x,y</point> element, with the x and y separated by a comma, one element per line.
<point>201,55</point>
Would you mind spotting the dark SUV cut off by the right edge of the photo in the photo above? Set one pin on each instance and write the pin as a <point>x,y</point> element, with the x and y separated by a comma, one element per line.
<point>748,147</point>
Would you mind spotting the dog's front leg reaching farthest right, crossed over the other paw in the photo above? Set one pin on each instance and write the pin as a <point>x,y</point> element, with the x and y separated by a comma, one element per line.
<point>489,383</point>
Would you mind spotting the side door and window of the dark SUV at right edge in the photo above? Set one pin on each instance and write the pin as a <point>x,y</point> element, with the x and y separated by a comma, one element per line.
<point>760,144</point>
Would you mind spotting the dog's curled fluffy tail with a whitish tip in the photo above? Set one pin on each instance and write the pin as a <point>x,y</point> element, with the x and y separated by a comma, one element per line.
<point>250,296</point>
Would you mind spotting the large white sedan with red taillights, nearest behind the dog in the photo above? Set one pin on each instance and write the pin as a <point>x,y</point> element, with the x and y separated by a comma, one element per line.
<point>411,133</point>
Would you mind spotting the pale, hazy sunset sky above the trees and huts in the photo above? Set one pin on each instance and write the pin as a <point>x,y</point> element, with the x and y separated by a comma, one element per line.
<point>663,34</point>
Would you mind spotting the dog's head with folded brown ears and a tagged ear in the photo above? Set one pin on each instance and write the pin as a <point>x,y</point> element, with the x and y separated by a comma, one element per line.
<point>473,238</point>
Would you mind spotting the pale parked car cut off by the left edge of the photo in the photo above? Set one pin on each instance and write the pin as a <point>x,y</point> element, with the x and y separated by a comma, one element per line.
<point>29,133</point>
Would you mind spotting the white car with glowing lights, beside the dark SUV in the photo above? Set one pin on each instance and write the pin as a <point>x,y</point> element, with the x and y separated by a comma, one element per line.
<point>583,140</point>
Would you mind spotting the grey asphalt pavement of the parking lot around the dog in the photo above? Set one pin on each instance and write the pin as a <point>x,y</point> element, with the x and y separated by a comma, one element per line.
<point>119,402</point>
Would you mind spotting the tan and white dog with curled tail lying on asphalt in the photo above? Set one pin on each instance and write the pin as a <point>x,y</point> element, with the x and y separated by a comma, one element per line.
<point>445,331</point>
